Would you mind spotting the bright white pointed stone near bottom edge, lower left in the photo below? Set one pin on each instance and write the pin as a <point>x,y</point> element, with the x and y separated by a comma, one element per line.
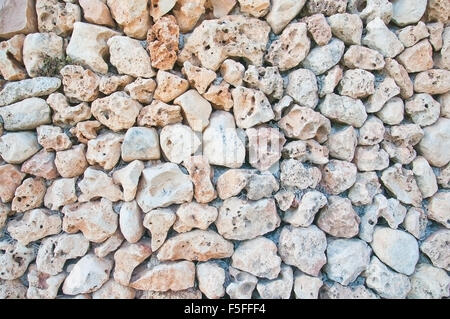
<point>88,275</point>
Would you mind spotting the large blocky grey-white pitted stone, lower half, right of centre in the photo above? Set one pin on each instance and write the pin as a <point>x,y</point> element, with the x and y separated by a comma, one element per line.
<point>303,248</point>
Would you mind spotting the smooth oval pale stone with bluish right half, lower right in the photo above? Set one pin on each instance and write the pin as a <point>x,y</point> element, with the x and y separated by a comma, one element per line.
<point>395,248</point>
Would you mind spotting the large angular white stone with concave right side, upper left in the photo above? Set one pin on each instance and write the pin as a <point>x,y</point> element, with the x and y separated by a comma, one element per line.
<point>88,46</point>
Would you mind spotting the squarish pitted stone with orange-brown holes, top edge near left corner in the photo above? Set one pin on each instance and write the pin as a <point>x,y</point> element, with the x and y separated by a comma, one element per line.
<point>58,17</point>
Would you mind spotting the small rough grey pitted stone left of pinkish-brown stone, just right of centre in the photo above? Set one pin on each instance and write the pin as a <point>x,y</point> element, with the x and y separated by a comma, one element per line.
<point>298,176</point>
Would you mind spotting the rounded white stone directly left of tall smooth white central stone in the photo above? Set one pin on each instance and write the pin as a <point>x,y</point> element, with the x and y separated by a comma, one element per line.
<point>179,142</point>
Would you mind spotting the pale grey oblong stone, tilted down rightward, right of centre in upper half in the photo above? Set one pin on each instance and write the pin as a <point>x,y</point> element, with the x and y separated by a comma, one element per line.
<point>343,109</point>
